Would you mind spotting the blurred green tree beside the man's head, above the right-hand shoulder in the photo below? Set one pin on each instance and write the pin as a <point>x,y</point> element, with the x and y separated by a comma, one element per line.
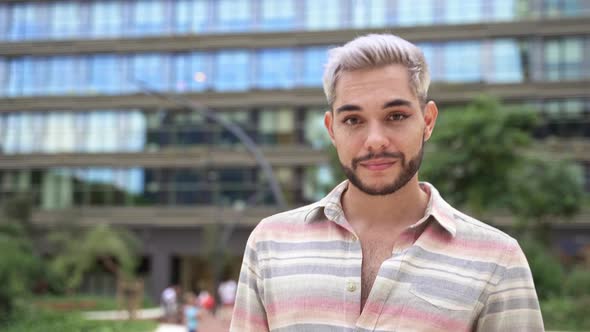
<point>480,161</point>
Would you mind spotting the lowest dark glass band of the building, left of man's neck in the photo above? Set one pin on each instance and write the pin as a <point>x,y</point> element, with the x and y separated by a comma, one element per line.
<point>59,188</point>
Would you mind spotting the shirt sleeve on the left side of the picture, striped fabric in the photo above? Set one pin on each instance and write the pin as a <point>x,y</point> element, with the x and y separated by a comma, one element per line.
<point>249,312</point>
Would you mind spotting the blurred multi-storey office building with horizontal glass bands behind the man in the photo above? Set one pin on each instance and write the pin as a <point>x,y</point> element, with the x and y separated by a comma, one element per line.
<point>78,132</point>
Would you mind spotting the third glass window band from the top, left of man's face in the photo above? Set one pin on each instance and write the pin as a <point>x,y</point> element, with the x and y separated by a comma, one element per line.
<point>129,131</point>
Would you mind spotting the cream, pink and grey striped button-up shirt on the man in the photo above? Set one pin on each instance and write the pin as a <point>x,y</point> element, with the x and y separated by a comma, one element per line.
<point>448,272</point>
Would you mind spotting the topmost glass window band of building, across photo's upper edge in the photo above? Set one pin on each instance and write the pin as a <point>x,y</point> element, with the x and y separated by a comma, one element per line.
<point>29,20</point>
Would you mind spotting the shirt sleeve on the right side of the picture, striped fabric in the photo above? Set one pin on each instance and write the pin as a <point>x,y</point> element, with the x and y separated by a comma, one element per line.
<point>512,303</point>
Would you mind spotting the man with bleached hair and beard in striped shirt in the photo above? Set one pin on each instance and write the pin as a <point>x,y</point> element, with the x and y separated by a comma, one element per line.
<point>382,251</point>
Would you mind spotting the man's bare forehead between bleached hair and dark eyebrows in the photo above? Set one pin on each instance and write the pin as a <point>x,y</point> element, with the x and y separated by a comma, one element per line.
<point>373,85</point>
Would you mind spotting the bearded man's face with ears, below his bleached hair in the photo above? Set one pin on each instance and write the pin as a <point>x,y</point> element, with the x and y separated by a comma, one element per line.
<point>378,128</point>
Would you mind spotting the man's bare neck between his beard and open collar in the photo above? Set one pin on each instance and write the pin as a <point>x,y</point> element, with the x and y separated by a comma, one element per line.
<point>394,211</point>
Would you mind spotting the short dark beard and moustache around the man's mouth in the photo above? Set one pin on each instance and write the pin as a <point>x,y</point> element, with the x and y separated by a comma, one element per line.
<point>408,170</point>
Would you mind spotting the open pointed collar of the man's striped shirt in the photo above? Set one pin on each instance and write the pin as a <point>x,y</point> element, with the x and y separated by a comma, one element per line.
<point>330,207</point>
